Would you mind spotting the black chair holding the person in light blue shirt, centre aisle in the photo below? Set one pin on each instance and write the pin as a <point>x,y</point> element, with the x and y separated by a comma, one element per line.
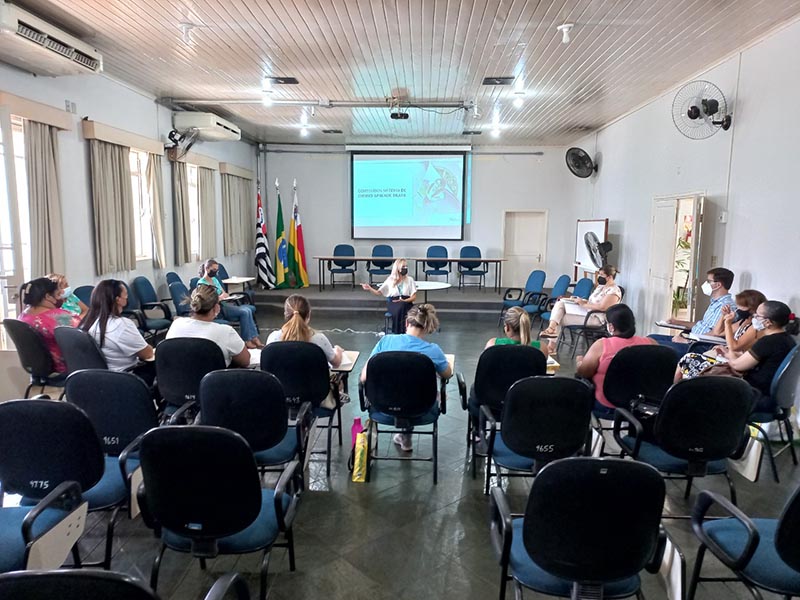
<point>400,392</point>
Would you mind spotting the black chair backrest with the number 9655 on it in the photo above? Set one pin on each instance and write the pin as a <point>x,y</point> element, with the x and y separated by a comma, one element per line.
<point>547,418</point>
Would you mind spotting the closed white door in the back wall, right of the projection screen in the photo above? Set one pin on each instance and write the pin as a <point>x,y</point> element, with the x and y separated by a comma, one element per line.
<point>524,245</point>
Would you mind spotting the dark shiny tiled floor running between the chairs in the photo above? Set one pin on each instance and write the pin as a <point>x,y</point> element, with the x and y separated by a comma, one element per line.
<point>399,536</point>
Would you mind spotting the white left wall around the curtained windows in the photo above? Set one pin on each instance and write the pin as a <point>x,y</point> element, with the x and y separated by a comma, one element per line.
<point>107,101</point>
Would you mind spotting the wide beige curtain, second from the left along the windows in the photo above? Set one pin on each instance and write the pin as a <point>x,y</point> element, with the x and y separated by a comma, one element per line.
<point>112,202</point>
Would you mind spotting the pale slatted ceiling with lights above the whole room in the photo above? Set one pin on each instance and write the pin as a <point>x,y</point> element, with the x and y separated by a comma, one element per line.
<point>622,53</point>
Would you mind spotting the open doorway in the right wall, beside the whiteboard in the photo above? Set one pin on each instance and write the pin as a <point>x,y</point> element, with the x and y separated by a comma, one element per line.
<point>675,240</point>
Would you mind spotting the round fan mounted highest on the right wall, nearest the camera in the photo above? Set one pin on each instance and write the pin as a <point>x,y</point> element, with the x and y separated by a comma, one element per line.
<point>700,110</point>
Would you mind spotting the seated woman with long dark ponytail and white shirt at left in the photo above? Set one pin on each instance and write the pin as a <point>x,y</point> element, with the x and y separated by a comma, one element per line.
<point>119,339</point>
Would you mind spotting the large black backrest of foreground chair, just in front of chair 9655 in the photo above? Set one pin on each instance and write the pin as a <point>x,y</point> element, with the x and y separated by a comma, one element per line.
<point>609,534</point>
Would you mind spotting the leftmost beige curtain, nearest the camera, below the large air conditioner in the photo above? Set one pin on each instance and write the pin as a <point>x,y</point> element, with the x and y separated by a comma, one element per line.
<point>47,234</point>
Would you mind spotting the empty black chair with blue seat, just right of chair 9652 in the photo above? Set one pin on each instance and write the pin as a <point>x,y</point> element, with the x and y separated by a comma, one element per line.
<point>253,404</point>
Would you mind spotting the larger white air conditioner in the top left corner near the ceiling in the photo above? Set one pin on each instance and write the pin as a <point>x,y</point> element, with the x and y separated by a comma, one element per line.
<point>34,45</point>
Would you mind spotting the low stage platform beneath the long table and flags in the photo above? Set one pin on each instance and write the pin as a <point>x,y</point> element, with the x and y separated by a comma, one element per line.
<point>469,304</point>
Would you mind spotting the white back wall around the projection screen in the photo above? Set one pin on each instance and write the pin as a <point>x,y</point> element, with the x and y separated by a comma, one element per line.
<point>511,179</point>
